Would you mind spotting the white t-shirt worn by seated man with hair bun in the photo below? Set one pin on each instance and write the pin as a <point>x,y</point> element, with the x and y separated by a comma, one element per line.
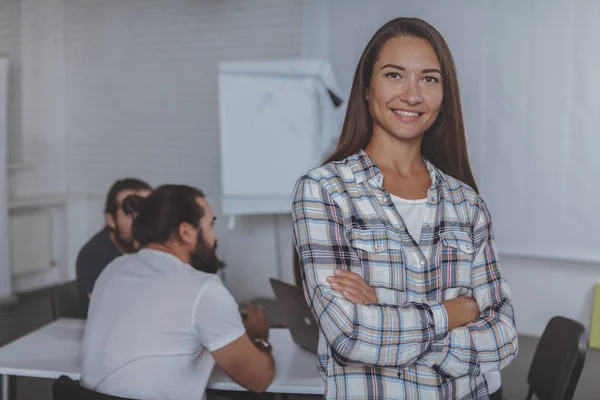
<point>152,323</point>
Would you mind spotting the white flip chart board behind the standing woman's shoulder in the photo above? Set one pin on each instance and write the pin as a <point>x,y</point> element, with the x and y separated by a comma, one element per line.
<point>277,121</point>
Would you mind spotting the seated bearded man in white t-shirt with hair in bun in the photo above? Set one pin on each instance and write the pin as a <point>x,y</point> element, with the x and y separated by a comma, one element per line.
<point>158,322</point>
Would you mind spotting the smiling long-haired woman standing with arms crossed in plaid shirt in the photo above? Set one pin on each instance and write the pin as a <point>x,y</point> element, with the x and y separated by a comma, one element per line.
<point>396,247</point>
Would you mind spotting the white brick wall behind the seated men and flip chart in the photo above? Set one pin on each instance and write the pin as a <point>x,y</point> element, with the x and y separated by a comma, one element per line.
<point>142,101</point>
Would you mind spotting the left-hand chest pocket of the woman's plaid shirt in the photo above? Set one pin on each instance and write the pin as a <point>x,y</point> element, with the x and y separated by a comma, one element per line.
<point>381,257</point>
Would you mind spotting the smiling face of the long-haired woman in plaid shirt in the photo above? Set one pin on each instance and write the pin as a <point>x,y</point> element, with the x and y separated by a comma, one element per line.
<point>405,94</point>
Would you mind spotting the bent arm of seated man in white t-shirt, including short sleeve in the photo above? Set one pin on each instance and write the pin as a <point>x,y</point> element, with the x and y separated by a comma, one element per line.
<point>219,326</point>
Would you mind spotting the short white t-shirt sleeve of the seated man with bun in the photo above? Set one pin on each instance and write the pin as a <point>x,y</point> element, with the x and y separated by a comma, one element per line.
<point>216,317</point>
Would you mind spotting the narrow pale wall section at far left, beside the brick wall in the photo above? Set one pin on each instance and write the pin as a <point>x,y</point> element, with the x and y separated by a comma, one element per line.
<point>36,97</point>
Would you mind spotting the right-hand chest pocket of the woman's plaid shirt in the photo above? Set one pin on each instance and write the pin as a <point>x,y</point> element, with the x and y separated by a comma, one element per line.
<point>456,256</point>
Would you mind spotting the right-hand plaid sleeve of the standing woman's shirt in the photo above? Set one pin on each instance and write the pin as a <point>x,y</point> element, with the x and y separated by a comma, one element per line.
<point>490,343</point>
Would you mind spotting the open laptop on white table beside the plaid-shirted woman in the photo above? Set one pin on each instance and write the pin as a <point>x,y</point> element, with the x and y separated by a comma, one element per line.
<point>298,318</point>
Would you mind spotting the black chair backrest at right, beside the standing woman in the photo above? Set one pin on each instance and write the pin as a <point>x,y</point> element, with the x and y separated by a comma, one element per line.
<point>558,360</point>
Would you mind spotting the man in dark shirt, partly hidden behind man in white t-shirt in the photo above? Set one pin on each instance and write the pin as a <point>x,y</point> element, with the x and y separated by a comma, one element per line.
<point>112,241</point>
